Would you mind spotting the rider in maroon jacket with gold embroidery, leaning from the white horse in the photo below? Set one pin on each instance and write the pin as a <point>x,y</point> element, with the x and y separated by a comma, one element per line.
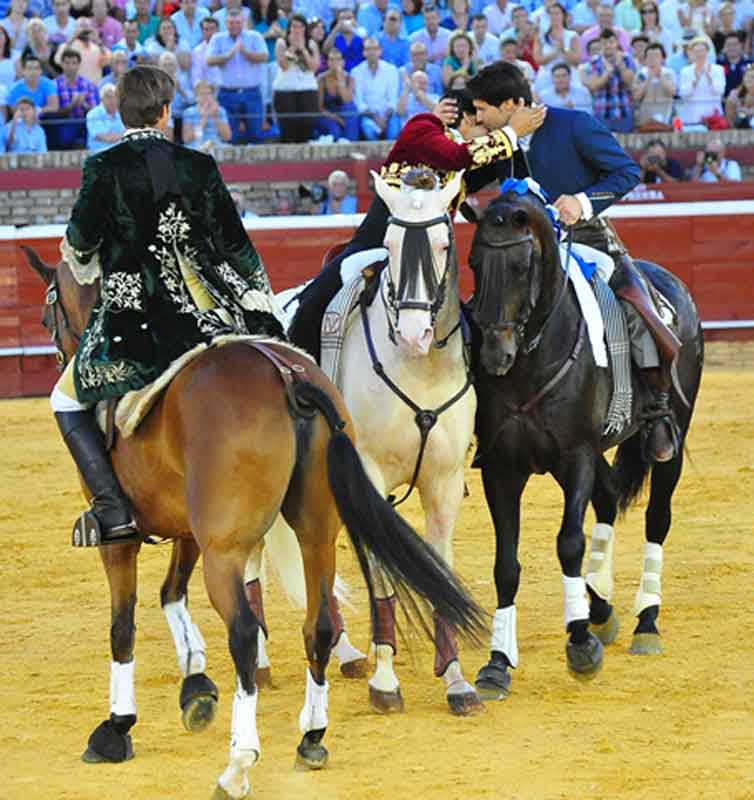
<point>425,141</point>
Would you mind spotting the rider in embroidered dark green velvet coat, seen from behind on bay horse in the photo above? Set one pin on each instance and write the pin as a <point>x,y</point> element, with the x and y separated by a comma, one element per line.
<point>155,223</point>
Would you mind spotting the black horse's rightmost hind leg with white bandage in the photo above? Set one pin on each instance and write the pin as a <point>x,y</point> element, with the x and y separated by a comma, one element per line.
<point>646,639</point>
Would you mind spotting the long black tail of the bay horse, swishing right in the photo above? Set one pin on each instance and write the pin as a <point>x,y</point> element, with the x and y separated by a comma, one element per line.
<point>378,532</point>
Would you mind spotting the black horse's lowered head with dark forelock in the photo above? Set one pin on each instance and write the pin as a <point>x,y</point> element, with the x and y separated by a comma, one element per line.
<point>513,246</point>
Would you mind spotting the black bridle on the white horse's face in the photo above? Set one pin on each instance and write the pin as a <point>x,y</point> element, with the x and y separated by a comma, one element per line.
<point>394,304</point>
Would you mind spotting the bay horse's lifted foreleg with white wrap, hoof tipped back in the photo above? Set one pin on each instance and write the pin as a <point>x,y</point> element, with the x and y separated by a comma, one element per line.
<point>198,697</point>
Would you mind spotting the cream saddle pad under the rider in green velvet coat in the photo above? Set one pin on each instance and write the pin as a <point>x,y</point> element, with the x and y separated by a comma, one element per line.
<point>134,406</point>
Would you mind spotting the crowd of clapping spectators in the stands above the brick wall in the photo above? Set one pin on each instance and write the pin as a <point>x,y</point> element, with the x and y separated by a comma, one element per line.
<point>331,70</point>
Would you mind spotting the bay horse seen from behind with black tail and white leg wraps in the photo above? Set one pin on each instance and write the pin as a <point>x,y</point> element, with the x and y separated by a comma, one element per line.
<point>241,434</point>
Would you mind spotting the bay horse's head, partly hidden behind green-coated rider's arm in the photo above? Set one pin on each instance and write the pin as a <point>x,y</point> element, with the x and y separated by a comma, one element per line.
<point>67,307</point>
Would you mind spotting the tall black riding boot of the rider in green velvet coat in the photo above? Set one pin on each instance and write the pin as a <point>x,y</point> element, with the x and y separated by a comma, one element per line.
<point>110,518</point>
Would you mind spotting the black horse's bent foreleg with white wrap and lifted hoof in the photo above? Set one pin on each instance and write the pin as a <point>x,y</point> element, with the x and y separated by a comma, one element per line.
<point>576,476</point>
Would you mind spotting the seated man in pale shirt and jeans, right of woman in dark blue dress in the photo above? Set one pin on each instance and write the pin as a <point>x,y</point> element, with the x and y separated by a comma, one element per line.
<point>376,94</point>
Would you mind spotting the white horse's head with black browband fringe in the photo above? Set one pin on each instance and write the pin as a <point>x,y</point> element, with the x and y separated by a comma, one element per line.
<point>422,257</point>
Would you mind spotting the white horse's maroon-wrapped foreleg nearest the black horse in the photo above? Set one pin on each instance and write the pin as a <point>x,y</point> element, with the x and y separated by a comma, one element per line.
<point>442,501</point>
